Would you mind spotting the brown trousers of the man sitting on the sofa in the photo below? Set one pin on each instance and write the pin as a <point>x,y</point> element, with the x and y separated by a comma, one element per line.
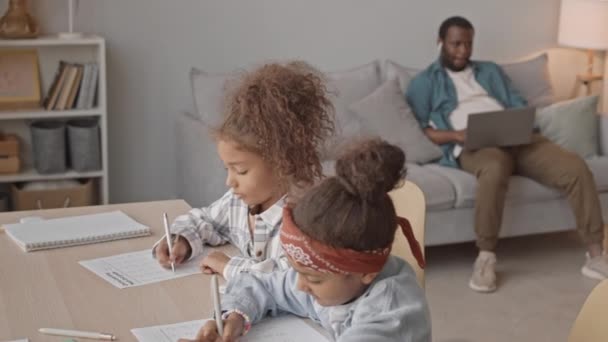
<point>546,163</point>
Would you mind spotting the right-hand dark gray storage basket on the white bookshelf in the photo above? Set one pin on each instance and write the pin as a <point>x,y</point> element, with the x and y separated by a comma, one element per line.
<point>83,140</point>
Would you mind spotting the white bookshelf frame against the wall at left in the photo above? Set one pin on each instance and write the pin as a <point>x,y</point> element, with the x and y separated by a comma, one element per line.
<point>52,49</point>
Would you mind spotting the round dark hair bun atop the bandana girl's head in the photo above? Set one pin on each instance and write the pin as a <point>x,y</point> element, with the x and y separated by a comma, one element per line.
<point>371,168</point>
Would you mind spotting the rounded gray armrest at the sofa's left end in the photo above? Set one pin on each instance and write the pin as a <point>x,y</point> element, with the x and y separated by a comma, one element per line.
<point>200,172</point>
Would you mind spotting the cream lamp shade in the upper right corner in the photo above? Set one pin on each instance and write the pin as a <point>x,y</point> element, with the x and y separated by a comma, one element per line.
<point>584,24</point>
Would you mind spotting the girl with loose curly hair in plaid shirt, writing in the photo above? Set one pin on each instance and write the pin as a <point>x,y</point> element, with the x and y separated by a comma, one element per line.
<point>276,120</point>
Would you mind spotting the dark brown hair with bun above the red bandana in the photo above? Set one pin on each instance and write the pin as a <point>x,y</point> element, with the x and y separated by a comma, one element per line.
<point>353,209</point>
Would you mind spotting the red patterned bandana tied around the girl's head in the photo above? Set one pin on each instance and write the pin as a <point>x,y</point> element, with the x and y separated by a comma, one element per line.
<point>326,259</point>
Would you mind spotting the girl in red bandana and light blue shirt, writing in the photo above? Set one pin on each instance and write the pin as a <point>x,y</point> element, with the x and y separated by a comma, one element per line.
<point>338,239</point>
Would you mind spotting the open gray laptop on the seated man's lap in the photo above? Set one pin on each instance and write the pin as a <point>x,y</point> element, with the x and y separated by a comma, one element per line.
<point>509,127</point>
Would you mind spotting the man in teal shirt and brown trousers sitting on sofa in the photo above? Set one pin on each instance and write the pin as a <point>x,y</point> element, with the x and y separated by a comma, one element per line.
<point>443,95</point>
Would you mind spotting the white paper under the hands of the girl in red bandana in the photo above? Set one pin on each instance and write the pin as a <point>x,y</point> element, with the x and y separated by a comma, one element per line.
<point>277,329</point>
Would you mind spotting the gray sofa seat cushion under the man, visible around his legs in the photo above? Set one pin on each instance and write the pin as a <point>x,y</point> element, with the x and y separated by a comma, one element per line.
<point>521,189</point>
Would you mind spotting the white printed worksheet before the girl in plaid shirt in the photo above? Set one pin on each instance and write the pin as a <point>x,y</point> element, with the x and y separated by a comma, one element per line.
<point>138,268</point>
